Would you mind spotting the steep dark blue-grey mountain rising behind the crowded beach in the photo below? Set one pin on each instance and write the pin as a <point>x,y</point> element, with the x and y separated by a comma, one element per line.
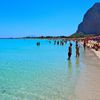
<point>91,21</point>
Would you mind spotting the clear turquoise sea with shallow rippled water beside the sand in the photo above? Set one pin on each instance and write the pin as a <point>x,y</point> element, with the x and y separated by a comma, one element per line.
<point>31,72</point>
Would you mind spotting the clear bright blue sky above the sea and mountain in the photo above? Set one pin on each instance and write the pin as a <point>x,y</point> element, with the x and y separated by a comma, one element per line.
<point>41,17</point>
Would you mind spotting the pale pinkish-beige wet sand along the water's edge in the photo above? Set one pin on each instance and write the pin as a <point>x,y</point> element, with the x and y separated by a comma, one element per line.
<point>88,85</point>
